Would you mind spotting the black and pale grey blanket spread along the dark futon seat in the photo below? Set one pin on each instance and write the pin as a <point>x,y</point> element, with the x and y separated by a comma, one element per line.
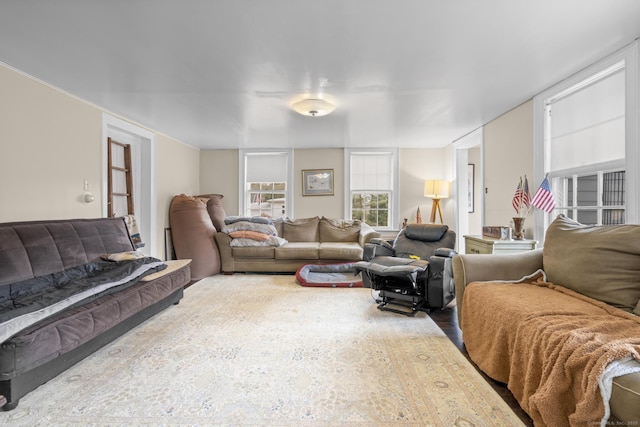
<point>24,303</point>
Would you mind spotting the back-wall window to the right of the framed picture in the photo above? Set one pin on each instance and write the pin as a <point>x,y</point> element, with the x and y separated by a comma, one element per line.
<point>371,177</point>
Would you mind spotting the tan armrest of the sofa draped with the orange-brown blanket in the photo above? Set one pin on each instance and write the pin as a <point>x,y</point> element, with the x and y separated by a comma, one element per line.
<point>468,268</point>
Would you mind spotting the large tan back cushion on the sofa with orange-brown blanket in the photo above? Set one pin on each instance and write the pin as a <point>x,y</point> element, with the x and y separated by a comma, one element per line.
<point>600,262</point>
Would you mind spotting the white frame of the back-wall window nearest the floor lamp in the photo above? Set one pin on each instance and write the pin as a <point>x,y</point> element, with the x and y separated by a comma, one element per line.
<point>393,191</point>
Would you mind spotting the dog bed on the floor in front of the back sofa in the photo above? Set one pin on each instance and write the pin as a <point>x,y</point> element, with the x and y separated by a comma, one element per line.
<point>329,275</point>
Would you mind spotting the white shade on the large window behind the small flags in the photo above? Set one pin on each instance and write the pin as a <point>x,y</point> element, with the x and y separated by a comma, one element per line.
<point>588,125</point>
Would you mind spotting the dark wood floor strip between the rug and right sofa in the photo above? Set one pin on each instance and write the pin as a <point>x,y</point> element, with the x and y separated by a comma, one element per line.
<point>447,320</point>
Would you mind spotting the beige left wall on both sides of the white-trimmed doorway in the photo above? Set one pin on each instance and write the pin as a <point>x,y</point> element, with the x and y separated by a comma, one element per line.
<point>50,142</point>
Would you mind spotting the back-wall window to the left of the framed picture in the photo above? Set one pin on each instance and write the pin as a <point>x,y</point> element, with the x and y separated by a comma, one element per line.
<point>266,186</point>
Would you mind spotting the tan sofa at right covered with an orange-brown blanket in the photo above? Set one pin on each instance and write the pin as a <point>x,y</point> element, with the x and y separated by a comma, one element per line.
<point>559,325</point>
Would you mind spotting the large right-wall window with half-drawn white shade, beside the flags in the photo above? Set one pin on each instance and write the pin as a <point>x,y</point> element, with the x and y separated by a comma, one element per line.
<point>586,137</point>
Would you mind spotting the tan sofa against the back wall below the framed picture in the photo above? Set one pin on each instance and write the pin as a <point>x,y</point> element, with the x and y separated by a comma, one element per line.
<point>308,241</point>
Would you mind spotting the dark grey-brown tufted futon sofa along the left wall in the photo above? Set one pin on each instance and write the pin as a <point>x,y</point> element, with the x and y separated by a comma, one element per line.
<point>69,254</point>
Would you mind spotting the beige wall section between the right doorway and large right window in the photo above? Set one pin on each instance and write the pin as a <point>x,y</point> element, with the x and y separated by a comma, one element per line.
<point>508,155</point>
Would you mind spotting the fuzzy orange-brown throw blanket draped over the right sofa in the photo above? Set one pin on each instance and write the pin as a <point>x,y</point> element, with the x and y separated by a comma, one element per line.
<point>551,346</point>
